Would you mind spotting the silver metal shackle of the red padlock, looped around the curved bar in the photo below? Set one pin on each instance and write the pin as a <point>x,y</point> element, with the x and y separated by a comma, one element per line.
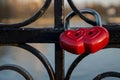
<point>86,10</point>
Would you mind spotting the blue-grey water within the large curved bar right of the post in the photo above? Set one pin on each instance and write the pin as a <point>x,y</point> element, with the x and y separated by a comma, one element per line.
<point>103,61</point>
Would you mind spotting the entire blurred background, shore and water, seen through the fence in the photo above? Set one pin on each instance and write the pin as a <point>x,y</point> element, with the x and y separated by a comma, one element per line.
<point>14,11</point>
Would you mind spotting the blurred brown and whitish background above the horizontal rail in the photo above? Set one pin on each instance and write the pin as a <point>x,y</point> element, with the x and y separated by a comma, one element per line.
<point>11,10</point>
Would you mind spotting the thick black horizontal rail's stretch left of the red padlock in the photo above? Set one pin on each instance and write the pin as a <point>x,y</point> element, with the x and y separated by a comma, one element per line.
<point>29,35</point>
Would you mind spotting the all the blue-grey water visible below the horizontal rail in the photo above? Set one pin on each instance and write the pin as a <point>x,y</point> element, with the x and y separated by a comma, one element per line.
<point>103,61</point>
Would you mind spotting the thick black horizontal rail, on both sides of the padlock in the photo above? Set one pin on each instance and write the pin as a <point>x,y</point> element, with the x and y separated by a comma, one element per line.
<point>47,35</point>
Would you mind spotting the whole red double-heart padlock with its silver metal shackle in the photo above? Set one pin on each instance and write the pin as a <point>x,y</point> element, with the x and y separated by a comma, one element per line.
<point>84,39</point>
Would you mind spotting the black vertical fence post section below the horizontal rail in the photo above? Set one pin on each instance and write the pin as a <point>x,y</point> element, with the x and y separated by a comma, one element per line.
<point>59,63</point>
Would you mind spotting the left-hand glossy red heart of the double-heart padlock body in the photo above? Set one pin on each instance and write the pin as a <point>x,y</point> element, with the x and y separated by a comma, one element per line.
<point>72,41</point>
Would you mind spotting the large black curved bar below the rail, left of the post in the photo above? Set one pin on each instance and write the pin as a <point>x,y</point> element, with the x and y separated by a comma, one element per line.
<point>41,57</point>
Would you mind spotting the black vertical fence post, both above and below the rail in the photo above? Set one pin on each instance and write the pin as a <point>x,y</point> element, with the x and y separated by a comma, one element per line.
<point>59,55</point>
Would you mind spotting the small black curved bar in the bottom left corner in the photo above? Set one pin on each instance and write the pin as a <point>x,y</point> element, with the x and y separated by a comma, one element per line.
<point>18,69</point>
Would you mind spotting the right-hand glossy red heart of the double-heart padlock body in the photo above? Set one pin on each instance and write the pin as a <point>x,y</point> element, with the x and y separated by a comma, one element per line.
<point>96,39</point>
